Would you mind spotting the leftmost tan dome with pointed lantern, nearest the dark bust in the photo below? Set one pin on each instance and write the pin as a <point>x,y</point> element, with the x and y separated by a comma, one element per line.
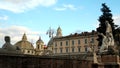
<point>24,44</point>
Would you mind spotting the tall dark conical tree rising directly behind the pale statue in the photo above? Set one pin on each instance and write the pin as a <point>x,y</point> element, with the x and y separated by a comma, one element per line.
<point>106,16</point>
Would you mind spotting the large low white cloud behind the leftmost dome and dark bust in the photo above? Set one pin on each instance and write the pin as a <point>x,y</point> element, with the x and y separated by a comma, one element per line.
<point>16,33</point>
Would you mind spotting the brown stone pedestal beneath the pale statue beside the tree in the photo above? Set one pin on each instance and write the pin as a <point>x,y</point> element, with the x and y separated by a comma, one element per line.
<point>108,61</point>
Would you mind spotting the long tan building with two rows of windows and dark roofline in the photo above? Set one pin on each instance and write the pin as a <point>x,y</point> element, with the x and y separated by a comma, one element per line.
<point>75,43</point>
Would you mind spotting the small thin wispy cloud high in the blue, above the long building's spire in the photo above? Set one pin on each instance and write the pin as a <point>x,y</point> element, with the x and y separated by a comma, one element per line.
<point>65,7</point>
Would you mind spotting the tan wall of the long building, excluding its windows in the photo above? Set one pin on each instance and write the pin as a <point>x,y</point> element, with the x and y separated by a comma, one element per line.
<point>82,44</point>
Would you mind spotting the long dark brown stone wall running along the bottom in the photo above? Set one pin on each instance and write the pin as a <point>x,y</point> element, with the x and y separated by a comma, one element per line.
<point>28,61</point>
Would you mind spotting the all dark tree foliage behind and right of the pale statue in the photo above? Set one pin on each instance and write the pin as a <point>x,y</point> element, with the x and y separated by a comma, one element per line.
<point>107,16</point>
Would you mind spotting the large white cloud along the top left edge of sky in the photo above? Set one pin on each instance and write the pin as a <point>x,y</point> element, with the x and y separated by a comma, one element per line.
<point>19,6</point>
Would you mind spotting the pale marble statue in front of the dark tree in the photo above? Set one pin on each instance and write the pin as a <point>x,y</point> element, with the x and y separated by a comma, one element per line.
<point>108,39</point>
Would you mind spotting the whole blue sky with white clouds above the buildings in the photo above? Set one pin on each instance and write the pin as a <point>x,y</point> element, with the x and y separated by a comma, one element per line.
<point>34,17</point>
